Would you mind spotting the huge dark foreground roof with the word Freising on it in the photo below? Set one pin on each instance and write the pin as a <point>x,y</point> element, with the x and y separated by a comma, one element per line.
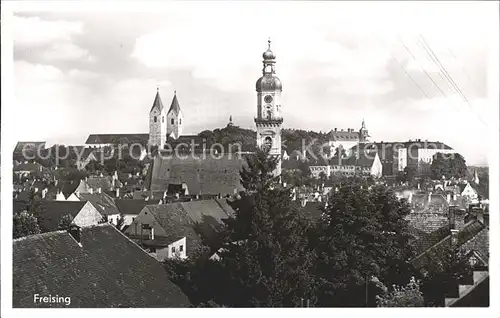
<point>108,270</point>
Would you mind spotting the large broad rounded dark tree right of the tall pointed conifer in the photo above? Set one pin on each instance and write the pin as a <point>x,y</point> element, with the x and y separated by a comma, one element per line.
<point>363,234</point>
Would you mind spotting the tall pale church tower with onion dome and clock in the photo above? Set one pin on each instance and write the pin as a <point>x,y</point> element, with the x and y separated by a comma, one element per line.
<point>269,117</point>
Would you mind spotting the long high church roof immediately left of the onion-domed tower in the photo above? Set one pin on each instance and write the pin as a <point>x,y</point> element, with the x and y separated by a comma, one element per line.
<point>202,176</point>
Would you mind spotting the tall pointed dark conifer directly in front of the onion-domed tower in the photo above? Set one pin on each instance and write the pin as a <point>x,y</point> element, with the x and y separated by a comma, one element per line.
<point>265,257</point>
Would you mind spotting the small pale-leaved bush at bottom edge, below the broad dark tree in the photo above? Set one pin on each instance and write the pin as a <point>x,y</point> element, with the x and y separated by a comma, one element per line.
<point>405,296</point>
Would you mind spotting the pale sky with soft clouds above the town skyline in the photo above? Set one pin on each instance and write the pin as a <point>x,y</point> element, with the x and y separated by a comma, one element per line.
<point>81,72</point>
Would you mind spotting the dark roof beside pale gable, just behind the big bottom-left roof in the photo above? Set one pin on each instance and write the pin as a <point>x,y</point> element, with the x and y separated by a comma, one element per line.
<point>52,211</point>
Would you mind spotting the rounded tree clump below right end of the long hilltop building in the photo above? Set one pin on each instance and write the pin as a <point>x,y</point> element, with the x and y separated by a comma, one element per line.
<point>448,165</point>
